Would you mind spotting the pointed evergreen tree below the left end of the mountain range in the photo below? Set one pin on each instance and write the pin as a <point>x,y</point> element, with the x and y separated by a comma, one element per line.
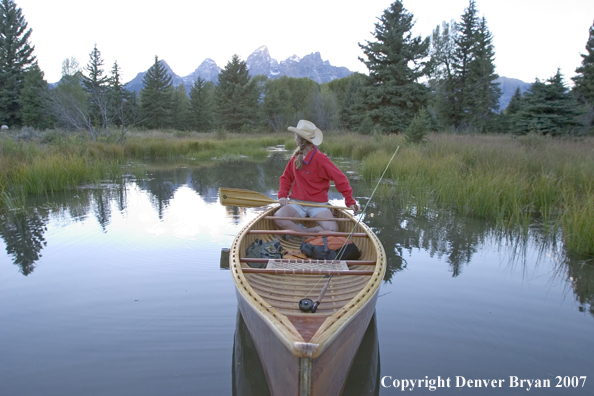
<point>157,96</point>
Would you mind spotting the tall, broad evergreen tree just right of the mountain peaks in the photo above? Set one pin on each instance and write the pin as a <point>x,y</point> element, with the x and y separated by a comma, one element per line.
<point>395,61</point>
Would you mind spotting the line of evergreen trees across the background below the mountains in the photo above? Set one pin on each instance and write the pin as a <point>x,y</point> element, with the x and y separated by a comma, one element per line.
<point>442,82</point>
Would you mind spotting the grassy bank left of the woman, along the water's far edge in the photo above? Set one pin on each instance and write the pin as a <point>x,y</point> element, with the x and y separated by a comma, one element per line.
<point>54,161</point>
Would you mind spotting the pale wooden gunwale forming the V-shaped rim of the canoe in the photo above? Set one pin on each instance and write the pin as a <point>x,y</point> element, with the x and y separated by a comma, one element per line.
<point>279,323</point>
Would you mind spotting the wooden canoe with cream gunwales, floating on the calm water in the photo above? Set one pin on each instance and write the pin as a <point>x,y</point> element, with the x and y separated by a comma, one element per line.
<point>304,353</point>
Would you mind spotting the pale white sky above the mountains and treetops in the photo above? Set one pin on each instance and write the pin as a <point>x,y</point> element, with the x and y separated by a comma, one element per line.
<point>532,38</point>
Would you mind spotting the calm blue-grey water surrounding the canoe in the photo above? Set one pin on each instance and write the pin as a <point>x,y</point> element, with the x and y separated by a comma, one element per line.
<point>116,289</point>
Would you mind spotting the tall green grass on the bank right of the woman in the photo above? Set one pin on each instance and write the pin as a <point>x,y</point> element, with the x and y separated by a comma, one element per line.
<point>513,182</point>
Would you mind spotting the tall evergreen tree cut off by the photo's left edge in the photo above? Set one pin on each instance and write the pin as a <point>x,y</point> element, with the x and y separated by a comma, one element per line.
<point>16,55</point>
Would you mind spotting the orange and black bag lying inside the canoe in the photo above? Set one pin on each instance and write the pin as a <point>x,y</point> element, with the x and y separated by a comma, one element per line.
<point>330,248</point>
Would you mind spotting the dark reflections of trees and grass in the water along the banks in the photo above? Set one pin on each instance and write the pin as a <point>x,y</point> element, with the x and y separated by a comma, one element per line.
<point>447,235</point>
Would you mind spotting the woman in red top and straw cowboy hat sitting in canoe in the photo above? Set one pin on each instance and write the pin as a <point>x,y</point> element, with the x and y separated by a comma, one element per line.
<point>307,179</point>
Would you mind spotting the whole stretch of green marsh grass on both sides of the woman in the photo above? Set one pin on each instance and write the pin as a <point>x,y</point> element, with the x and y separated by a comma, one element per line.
<point>516,182</point>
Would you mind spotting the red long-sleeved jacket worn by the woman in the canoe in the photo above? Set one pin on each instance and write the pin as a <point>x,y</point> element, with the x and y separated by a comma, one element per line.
<point>312,181</point>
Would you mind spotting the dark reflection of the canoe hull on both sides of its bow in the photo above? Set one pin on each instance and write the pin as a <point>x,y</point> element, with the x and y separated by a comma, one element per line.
<point>249,378</point>
